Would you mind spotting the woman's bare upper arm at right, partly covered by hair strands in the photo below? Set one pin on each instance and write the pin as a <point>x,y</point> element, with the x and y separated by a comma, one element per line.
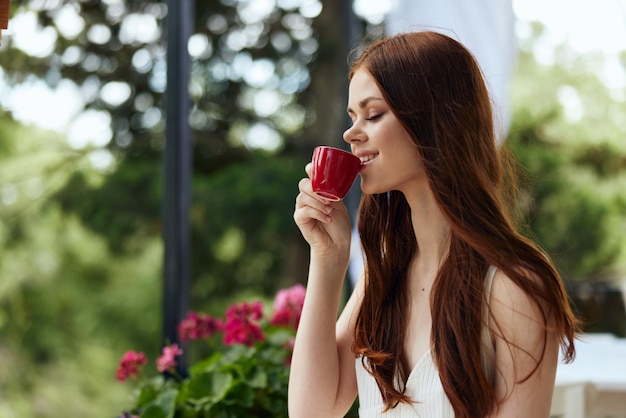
<point>521,342</point>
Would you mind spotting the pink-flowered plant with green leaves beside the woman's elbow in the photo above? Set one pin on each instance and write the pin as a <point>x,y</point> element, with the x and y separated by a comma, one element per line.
<point>246,374</point>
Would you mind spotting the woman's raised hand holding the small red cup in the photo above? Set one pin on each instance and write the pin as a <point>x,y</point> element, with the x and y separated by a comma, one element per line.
<point>324,224</point>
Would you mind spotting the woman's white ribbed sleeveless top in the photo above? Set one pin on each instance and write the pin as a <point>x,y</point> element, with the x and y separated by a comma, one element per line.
<point>423,385</point>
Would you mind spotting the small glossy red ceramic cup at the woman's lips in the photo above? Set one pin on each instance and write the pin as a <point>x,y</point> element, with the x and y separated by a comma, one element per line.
<point>334,170</point>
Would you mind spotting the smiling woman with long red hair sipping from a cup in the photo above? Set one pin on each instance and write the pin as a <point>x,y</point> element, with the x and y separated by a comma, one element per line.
<point>457,314</point>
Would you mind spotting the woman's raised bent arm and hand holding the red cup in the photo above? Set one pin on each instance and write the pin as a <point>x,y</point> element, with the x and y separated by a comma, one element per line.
<point>322,380</point>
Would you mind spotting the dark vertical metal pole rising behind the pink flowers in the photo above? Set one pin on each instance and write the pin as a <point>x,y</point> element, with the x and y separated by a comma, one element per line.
<point>178,163</point>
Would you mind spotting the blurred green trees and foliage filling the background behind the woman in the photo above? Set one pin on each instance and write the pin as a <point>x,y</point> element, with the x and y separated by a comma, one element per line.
<point>80,232</point>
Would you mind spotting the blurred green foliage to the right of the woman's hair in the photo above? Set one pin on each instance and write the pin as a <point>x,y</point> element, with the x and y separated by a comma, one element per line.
<point>574,190</point>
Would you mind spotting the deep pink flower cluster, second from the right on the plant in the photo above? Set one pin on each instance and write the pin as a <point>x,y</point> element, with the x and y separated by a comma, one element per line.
<point>242,326</point>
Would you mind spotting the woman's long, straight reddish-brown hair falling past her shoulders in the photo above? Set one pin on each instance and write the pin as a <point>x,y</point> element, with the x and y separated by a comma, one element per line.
<point>435,88</point>
